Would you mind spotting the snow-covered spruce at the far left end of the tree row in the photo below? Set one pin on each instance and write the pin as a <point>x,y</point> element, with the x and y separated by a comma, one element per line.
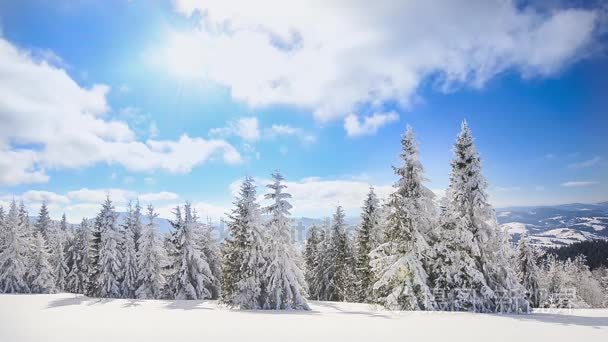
<point>13,258</point>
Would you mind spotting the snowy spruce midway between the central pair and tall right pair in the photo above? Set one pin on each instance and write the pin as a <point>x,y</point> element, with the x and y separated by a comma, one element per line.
<point>340,271</point>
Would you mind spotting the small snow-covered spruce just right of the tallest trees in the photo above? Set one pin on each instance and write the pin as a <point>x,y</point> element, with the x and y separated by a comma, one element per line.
<point>529,270</point>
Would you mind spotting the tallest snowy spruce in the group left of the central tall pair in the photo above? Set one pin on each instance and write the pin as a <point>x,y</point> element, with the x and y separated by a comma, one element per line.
<point>106,278</point>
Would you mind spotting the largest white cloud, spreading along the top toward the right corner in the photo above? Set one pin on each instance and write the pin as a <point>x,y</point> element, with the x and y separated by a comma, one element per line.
<point>338,57</point>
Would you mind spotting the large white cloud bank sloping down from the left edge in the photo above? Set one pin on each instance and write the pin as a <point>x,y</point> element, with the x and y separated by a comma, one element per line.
<point>64,126</point>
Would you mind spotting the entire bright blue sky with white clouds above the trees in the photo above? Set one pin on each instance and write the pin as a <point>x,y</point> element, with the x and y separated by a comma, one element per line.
<point>175,101</point>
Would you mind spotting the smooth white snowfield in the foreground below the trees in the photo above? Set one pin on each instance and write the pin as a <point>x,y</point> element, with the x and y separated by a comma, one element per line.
<point>68,317</point>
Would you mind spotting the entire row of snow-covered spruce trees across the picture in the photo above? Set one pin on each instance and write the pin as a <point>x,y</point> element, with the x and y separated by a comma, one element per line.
<point>408,252</point>
